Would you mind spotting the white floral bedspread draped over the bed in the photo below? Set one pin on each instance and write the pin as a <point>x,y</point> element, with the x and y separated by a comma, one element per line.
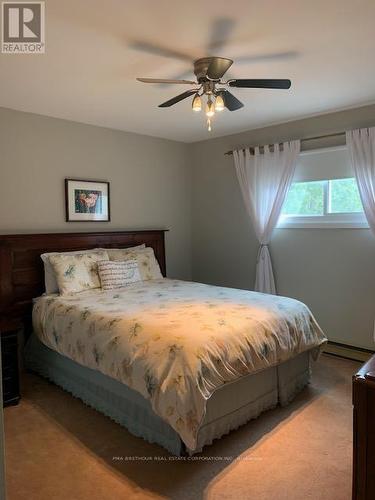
<point>176,342</point>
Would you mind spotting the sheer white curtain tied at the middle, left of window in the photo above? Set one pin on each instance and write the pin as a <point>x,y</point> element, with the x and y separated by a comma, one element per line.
<point>264,180</point>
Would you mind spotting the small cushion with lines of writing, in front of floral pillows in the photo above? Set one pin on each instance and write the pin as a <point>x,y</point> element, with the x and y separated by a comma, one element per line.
<point>118,274</point>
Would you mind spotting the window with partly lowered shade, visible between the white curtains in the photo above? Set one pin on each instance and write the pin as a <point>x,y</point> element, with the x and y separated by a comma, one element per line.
<point>323,202</point>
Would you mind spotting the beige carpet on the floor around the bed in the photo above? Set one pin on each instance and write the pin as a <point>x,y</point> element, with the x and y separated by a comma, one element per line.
<point>57,448</point>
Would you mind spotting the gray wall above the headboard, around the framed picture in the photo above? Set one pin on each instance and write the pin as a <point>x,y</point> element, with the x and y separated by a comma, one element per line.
<point>150,180</point>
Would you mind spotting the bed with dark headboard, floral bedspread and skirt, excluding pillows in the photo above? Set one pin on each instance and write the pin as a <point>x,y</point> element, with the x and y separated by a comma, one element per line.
<point>204,360</point>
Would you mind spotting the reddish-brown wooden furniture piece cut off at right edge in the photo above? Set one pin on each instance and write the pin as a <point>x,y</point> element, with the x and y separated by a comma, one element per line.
<point>364,432</point>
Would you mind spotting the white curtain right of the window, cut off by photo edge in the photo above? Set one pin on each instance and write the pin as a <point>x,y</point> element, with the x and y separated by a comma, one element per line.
<point>361,146</point>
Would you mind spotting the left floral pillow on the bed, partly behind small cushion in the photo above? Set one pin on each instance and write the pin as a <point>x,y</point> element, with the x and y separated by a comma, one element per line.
<point>76,273</point>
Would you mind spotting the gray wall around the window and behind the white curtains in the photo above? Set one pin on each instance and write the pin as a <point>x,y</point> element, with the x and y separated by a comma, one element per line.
<point>332,270</point>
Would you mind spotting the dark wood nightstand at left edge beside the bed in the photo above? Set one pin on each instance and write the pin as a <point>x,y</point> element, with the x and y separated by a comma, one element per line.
<point>9,360</point>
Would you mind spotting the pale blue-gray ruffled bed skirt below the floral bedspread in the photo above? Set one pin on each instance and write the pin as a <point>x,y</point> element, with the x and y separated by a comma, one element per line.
<point>229,407</point>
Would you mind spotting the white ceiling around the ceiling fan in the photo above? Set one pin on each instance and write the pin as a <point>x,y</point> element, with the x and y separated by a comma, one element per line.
<point>326,47</point>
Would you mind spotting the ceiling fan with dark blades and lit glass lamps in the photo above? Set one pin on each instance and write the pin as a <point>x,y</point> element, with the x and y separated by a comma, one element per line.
<point>209,72</point>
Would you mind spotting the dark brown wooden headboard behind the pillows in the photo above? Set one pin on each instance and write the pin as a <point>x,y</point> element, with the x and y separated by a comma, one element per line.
<point>21,268</point>
